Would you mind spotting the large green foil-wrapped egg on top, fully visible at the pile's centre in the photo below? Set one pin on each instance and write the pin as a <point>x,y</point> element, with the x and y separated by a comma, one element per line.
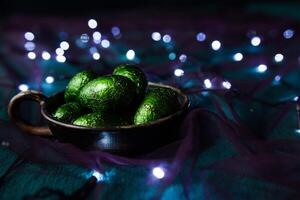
<point>108,93</point>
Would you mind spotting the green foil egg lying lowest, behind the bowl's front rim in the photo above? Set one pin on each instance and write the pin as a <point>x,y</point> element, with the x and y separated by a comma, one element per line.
<point>98,120</point>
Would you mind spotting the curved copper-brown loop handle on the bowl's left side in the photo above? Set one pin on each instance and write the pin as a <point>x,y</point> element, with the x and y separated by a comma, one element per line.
<point>13,110</point>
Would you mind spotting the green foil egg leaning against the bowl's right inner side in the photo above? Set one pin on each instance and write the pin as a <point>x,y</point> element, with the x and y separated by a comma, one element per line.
<point>158,103</point>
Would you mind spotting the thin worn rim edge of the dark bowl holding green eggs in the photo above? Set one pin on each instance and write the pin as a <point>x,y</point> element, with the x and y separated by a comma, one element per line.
<point>184,107</point>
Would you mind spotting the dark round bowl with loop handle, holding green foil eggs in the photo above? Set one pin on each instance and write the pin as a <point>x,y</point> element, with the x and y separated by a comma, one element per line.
<point>123,140</point>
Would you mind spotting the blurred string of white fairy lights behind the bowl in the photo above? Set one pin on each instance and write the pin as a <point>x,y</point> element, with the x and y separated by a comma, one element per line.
<point>103,42</point>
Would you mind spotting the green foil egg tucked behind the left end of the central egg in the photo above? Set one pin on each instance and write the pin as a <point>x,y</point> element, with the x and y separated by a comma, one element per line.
<point>76,83</point>
